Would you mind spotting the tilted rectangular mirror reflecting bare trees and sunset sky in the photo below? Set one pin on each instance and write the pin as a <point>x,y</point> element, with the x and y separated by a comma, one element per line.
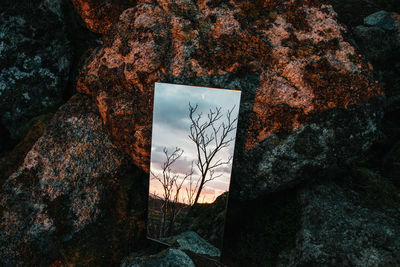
<point>193,139</point>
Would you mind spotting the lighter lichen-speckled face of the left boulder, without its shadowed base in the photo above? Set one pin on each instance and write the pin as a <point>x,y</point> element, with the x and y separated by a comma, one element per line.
<point>60,187</point>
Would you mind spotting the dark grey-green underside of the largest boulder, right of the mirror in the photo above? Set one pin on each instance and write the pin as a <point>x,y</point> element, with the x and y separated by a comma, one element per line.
<point>285,160</point>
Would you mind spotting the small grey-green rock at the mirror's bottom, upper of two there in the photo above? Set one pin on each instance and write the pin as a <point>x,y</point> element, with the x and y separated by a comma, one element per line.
<point>193,242</point>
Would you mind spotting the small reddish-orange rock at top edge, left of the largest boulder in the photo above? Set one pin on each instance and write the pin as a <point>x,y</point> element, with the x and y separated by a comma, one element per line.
<point>100,15</point>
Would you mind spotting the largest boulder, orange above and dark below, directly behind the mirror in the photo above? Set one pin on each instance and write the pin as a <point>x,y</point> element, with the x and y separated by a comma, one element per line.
<point>308,99</point>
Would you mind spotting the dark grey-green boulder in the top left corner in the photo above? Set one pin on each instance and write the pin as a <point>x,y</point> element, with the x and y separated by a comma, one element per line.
<point>35,57</point>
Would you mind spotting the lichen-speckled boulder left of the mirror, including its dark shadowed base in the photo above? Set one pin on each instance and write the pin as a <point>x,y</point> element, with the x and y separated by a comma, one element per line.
<point>71,185</point>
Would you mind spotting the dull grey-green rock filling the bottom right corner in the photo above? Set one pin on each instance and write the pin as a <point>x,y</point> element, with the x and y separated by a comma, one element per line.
<point>337,231</point>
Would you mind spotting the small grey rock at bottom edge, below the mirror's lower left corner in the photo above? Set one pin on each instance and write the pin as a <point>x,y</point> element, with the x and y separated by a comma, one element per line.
<point>167,258</point>
